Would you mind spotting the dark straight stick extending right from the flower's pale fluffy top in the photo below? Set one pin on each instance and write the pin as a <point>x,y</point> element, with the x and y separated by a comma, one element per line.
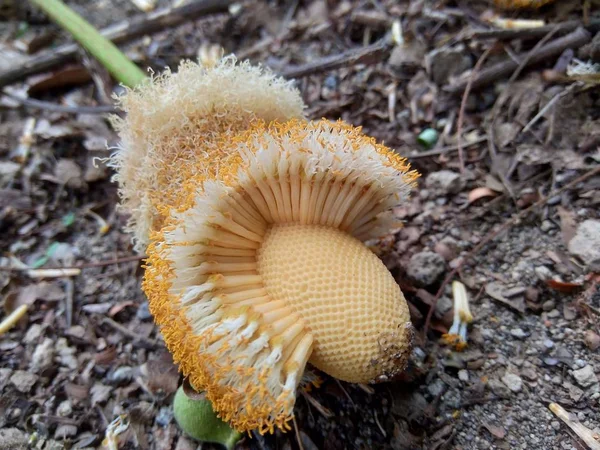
<point>363,55</point>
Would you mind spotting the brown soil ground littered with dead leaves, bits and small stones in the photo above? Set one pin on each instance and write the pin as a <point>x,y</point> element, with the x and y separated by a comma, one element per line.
<point>87,350</point>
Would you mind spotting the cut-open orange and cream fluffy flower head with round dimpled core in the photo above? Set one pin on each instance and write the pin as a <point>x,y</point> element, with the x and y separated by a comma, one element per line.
<point>256,258</point>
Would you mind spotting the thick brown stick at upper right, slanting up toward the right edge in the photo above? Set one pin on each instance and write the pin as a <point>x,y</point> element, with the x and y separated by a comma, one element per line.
<point>576,39</point>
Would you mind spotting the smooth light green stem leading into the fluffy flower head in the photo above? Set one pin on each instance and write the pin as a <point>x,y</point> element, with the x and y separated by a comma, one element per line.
<point>102,49</point>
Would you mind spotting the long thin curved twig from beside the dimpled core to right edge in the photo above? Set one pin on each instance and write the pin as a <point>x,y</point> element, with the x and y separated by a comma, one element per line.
<point>494,234</point>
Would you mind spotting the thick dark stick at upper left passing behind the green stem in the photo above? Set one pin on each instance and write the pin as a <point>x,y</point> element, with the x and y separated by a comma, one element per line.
<point>124,31</point>
